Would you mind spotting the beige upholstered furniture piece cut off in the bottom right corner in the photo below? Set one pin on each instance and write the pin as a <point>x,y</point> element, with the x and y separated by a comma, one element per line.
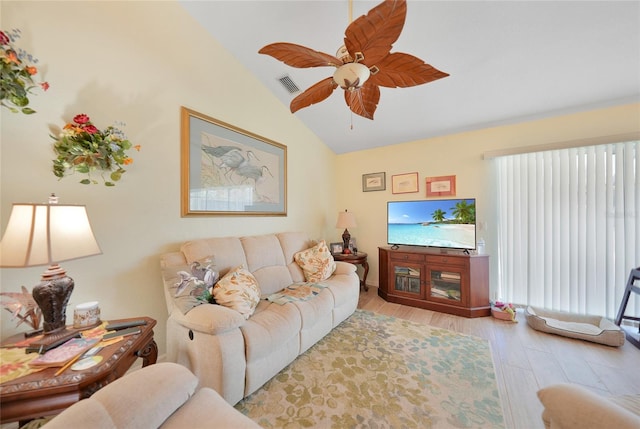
<point>571,406</point>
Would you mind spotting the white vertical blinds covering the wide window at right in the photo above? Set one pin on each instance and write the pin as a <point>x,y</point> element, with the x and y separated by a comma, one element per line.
<point>569,227</point>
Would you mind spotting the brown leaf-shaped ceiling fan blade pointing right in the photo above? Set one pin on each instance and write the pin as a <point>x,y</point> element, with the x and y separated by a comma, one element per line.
<point>403,70</point>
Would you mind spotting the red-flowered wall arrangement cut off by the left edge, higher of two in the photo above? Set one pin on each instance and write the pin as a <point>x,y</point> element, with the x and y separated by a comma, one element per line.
<point>16,75</point>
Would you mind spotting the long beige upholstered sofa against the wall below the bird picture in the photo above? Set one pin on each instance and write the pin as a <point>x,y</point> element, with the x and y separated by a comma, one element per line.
<point>235,356</point>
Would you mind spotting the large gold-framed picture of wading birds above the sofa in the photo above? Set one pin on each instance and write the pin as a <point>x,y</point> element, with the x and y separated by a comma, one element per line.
<point>229,171</point>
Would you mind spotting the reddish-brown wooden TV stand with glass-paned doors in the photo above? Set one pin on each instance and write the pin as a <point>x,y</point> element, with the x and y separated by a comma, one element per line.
<point>453,283</point>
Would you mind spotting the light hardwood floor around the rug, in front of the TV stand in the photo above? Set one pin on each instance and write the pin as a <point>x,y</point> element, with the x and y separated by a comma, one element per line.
<point>527,360</point>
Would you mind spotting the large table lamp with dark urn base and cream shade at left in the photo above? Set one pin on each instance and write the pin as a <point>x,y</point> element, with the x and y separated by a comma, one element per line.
<point>45,234</point>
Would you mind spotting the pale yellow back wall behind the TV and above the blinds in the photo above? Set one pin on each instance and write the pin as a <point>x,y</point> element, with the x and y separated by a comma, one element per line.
<point>460,155</point>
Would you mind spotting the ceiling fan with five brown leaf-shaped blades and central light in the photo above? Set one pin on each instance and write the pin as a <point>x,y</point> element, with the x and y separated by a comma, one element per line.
<point>363,64</point>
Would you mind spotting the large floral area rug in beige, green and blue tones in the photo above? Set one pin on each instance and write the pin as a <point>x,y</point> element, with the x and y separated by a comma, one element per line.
<point>375,371</point>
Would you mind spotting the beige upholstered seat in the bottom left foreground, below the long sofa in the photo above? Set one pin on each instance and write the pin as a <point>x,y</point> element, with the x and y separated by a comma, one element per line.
<point>164,396</point>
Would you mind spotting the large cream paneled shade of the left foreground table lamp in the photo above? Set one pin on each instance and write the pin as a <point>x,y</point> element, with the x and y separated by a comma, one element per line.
<point>42,234</point>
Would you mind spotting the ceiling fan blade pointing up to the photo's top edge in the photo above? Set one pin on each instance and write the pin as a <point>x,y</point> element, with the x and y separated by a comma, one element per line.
<point>374,33</point>
